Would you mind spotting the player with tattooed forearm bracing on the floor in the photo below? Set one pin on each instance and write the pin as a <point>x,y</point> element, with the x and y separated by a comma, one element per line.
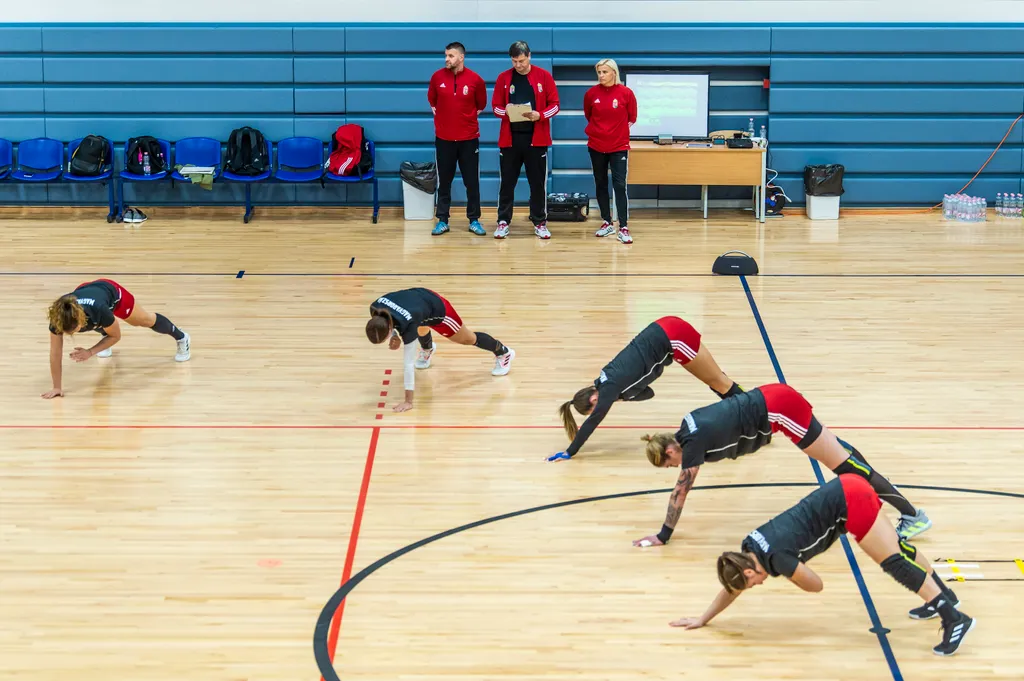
<point>743,424</point>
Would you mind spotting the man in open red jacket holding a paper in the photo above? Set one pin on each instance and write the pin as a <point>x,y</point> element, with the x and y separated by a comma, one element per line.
<point>525,143</point>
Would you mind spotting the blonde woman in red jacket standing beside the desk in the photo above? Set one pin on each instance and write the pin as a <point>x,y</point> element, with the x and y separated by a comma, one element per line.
<point>611,110</point>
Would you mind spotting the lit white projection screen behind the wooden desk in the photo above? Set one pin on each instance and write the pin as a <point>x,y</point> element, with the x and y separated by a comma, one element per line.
<point>670,105</point>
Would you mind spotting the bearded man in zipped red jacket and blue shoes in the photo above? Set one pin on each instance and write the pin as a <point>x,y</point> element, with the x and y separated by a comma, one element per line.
<point>457,97</point>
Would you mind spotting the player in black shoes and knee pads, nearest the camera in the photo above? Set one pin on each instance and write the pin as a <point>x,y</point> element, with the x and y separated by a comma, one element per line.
<point>784,545</point>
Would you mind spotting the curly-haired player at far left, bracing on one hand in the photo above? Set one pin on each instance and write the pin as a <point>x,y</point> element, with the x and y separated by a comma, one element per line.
<point>98,307</point>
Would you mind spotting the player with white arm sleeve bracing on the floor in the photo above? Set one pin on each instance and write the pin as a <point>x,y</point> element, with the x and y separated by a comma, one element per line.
<point>408,316</point>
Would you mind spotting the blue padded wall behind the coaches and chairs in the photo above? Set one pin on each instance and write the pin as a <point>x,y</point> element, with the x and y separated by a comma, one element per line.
<point>912,112</point>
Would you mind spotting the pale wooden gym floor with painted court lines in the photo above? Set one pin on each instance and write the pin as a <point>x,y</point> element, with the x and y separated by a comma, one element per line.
<point>168,522</point>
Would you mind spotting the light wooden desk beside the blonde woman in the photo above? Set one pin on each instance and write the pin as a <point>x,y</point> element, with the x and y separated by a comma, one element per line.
<point>678,164</point>
